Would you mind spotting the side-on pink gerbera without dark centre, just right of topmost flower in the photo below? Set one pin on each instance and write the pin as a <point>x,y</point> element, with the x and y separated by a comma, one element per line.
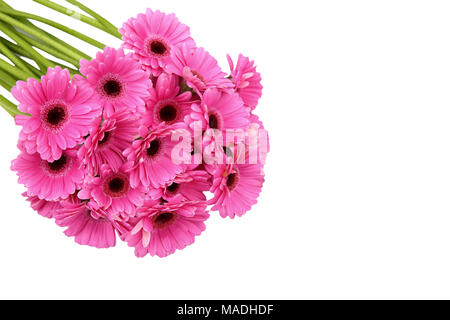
<point>198,68</point>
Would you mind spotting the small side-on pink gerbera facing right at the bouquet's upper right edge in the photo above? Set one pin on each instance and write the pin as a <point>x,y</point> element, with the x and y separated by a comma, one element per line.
<point>247,81</point>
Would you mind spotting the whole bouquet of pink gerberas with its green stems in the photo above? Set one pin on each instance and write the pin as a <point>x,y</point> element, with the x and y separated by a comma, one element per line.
<point>138,142</point>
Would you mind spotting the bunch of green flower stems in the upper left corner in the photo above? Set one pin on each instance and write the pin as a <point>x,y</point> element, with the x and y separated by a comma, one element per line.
<point>29,43</point>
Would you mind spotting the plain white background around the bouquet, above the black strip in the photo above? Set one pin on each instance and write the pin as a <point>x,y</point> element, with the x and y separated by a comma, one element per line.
<point>356,203</point>
